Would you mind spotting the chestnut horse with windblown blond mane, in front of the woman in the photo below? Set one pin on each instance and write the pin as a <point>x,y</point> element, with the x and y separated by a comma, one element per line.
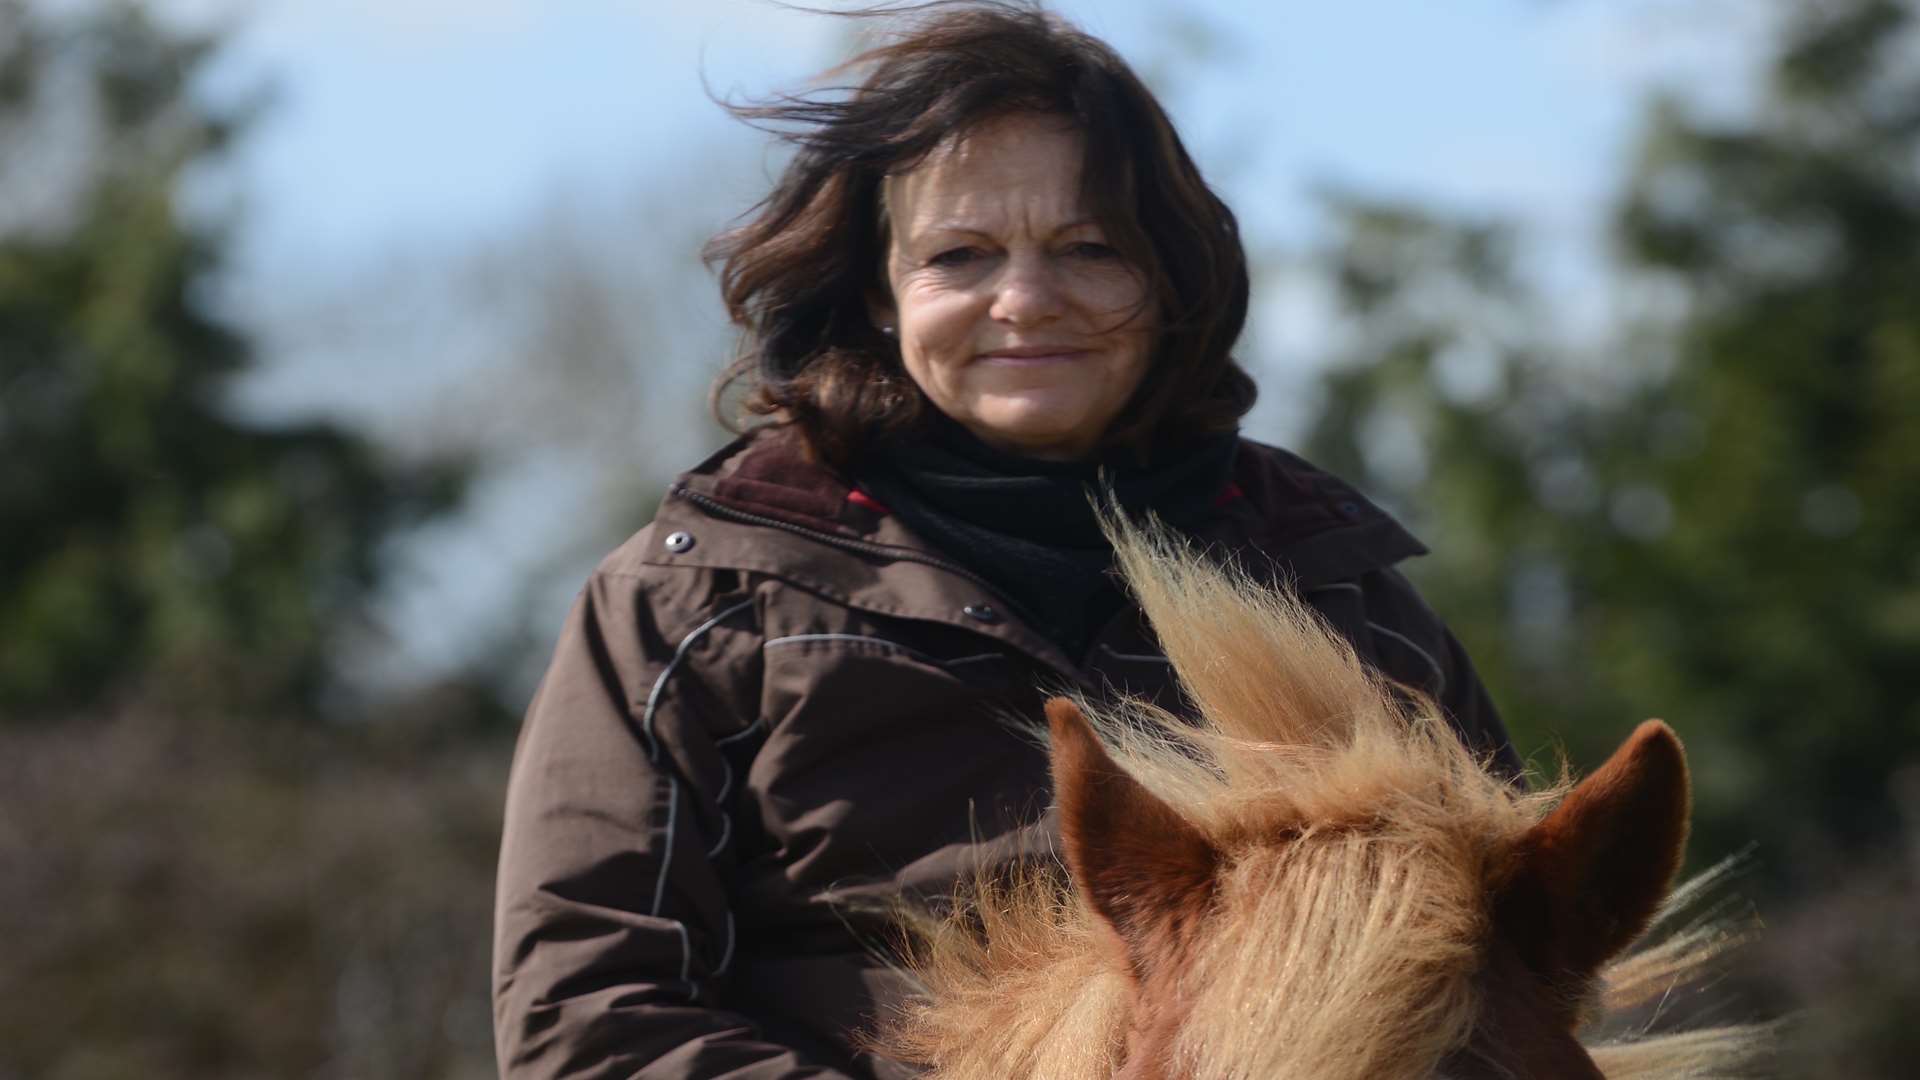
<point>1312,879</point>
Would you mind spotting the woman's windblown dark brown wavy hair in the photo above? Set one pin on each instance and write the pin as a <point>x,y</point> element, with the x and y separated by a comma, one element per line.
<point>800,272</point>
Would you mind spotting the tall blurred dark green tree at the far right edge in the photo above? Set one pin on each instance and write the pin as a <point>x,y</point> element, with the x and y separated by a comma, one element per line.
<point>1796,360</point>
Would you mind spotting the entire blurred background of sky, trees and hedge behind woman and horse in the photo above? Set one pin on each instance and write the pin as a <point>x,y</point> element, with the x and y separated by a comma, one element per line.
<point>339,341</point>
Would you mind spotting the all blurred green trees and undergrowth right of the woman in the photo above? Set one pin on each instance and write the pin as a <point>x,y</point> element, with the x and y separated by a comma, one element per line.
<point>1714,516</point>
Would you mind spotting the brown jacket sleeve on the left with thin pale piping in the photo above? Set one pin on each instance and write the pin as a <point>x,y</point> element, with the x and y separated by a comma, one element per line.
<point>612,931</point>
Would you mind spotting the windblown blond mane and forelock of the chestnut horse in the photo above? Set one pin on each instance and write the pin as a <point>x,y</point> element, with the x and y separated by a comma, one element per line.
<point>1360,856</point>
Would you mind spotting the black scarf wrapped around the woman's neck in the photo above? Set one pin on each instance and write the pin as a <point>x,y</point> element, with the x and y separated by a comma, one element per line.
<point>1030,526</point>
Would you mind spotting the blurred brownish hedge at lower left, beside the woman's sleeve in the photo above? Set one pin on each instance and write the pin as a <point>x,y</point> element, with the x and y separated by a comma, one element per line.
<point>191,895</point>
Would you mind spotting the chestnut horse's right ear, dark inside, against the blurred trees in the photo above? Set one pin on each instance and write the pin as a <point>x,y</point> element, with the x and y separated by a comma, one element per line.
<point>1595,873</point>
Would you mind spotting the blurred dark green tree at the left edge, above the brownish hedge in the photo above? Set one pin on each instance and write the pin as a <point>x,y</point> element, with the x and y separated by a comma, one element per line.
<point>143,526</point>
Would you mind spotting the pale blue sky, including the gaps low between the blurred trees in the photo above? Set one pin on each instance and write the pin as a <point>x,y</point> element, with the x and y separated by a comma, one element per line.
<point>414,132</point>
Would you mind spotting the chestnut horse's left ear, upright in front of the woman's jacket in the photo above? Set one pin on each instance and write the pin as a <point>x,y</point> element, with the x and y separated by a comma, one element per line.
<point>1140,864</point>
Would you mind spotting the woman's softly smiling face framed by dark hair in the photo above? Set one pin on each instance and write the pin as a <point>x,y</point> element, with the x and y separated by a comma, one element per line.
<point>1013,312</point>
